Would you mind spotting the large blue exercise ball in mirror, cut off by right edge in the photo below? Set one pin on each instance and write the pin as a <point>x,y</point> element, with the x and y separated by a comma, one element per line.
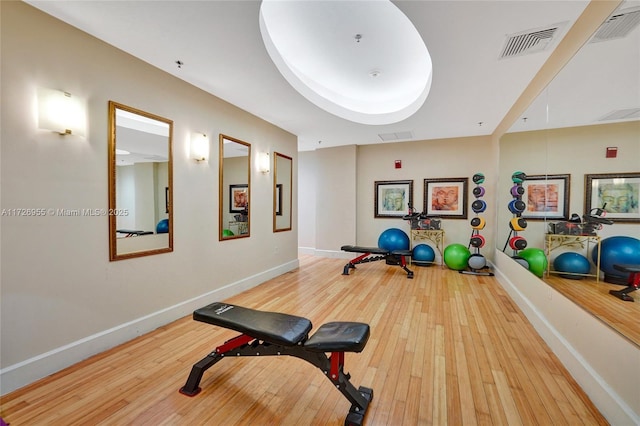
<point>617,250</point>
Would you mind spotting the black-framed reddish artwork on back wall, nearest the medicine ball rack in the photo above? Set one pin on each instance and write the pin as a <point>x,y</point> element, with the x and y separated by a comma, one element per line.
<point>446,197</point>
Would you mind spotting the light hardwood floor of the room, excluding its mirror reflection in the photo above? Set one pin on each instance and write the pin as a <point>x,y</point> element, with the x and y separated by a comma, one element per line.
<point>445,348</point>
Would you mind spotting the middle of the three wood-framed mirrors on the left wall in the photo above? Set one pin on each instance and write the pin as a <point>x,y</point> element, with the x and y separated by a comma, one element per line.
<point>234,193</point>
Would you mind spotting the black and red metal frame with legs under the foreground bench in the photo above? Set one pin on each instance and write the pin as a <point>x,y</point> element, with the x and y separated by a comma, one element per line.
<point>332,367</point>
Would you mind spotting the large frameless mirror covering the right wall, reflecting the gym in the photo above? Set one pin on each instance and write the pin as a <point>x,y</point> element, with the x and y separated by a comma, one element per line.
<point>583,130</point>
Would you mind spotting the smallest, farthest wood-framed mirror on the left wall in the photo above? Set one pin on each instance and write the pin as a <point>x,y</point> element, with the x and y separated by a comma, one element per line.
<point>282,192</point>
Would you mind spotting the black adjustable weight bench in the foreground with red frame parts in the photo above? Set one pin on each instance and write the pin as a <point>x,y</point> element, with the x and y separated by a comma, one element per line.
<point>273,333</point>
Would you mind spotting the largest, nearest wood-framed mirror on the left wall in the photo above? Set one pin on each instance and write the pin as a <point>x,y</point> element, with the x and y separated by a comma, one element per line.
<point>140,183</point>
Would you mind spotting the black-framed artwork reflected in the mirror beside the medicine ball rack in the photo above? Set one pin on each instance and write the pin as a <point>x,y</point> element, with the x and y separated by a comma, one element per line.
<point>547,197</point>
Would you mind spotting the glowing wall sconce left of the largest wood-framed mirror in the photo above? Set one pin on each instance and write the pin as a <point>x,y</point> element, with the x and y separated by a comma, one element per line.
<point>60,112</point>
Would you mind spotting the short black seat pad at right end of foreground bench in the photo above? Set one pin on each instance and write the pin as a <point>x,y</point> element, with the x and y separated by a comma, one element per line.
<point>339,337</point>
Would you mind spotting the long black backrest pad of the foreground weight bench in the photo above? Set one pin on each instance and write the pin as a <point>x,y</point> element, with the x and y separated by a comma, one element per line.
<point>273,327</point>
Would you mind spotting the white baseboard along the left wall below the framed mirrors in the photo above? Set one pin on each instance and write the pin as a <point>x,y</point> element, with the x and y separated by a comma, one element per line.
<point>28,371</point>
